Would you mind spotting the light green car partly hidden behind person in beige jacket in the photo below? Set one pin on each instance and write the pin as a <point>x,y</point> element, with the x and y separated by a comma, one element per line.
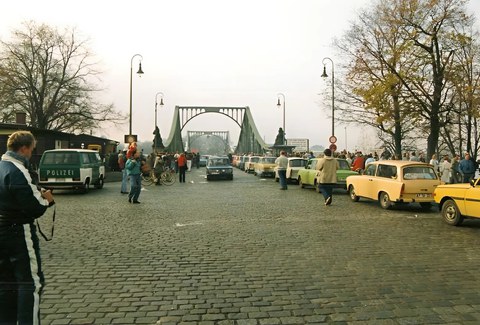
<point>308,175</point>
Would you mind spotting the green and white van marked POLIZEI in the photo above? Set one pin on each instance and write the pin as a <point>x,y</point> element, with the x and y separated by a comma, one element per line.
<point>71,169</point>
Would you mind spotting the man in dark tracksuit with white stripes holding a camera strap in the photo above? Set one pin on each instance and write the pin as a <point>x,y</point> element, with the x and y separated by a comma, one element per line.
<point>21,202</point>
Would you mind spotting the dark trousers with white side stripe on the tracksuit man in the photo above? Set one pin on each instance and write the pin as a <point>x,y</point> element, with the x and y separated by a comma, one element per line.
<point>21,277</point>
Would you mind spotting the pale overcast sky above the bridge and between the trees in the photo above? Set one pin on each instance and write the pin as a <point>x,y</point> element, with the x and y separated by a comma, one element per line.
<point>211,53</point>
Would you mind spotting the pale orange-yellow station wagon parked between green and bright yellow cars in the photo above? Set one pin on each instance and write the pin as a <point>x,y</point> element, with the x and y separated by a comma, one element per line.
<point>391,182</point>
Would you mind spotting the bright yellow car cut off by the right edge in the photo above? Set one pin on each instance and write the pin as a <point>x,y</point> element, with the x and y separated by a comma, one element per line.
<point>458,201</point>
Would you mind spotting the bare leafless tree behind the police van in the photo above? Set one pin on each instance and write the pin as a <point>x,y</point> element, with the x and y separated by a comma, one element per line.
<point>50,75</point>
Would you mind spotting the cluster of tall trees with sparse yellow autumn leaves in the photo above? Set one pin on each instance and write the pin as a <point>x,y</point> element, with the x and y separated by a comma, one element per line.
<point>412,71</point>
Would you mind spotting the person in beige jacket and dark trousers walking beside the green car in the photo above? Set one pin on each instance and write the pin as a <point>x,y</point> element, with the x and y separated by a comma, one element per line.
<point>327,175</point>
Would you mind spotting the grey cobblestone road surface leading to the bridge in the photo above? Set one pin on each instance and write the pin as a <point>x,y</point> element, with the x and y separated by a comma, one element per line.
<point>243,252</point>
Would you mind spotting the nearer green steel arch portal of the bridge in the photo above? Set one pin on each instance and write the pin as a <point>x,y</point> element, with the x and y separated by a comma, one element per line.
<point>248,141</point>
